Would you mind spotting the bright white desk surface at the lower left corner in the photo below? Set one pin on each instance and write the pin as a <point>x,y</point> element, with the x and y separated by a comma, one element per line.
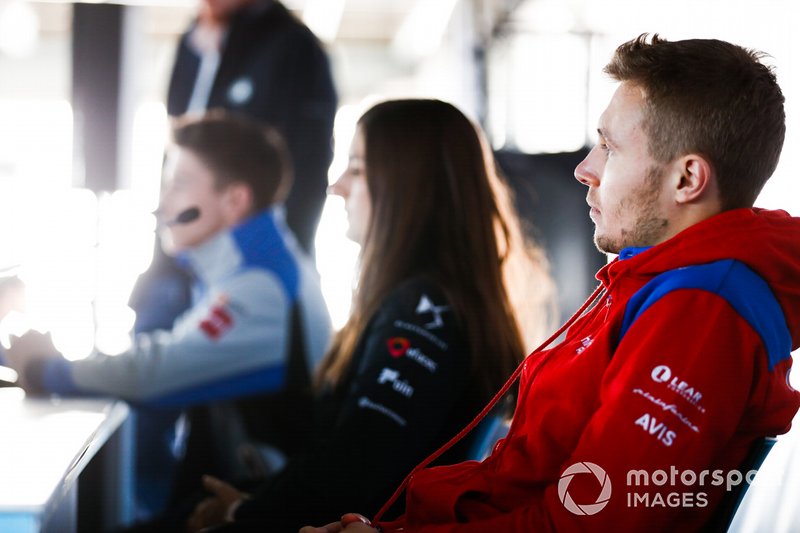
<point>46,443</point>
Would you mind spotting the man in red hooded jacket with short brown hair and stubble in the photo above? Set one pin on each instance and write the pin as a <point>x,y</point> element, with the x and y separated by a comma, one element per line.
<point>641,417</point>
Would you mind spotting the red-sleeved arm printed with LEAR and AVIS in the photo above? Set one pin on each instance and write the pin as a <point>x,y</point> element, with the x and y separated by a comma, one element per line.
<point>686,391</point>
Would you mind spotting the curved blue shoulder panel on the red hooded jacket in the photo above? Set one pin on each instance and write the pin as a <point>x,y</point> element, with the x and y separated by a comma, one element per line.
<point>732,280</point>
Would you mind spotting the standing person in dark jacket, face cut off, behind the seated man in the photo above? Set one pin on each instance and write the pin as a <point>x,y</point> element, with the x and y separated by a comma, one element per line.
<point>255,58</point>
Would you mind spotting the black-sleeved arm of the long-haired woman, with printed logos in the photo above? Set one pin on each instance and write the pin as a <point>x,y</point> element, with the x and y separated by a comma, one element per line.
<point>409,381</point>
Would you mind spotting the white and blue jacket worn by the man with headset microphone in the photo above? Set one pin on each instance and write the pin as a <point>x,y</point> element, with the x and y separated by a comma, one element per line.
<point>232,342</point>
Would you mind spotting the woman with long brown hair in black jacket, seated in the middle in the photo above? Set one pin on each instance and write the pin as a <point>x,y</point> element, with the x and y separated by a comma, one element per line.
<point>434,328</point>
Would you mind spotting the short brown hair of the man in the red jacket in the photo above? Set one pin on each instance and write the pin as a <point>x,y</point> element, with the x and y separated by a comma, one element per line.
<point>708,97</point>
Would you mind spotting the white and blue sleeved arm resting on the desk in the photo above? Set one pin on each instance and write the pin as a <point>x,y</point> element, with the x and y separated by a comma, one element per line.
<point>233,344</point>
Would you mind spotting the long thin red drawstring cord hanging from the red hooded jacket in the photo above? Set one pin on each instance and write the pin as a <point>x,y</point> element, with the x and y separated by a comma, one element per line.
<point>485,411</point>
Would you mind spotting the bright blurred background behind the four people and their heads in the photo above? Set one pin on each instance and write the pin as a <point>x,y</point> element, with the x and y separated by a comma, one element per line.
<point>83,126</point>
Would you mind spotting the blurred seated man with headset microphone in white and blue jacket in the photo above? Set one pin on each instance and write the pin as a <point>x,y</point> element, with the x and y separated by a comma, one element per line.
<point>258,323</point>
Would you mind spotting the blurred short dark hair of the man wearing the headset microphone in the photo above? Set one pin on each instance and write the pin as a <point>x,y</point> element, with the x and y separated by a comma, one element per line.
<point>238,150</point>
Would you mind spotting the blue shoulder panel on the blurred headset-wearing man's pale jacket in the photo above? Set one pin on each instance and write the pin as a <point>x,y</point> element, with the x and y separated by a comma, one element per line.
<point>262,245</point>
